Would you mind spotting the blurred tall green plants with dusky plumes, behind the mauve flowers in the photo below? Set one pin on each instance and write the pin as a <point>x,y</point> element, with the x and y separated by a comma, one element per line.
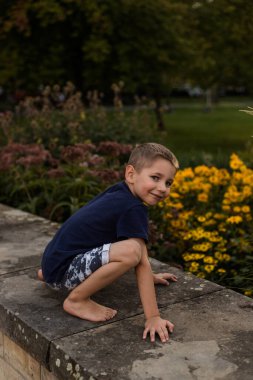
<point>60,116</point>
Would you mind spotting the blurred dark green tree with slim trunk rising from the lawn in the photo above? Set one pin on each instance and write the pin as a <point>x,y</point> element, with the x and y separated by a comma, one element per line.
<point>149,47</point>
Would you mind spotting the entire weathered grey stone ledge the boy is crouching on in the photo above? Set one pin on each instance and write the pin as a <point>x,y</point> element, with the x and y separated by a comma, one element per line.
<point>213,338</point>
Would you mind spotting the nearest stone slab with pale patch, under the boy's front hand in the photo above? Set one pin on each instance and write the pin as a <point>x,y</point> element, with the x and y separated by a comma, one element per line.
<point>212,340</point>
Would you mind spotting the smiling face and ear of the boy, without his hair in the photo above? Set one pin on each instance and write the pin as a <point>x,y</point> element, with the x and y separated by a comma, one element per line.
<point>151,184</point>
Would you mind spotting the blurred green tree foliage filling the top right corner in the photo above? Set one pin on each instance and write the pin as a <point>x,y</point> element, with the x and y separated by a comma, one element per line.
<point>223,49</point>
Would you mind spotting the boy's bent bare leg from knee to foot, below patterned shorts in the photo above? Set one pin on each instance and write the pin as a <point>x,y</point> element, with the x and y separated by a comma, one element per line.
<point>124,255</point>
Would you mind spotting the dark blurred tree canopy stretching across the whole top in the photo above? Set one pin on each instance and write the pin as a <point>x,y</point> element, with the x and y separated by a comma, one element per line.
<point>151,45</point>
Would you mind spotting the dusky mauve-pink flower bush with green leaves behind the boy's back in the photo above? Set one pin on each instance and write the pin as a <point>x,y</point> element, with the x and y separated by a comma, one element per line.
<point>33,179</point>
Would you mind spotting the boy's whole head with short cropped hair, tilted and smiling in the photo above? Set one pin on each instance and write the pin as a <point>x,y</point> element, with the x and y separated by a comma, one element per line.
<point>150,172</point>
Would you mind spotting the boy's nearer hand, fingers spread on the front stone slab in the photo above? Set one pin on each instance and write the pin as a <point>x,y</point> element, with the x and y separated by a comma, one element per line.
<point>160,326</point>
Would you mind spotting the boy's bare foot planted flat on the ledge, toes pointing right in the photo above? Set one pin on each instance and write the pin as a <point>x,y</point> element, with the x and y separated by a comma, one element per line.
<point>89,310</point>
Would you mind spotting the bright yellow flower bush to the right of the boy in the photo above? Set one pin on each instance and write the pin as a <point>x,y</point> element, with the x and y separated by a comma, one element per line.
<point>208,222</point>
